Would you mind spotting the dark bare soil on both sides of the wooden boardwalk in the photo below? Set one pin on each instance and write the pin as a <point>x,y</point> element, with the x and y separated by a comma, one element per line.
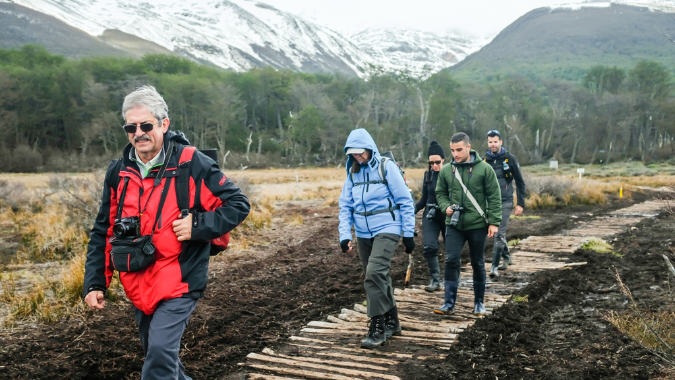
<point>296,274</point>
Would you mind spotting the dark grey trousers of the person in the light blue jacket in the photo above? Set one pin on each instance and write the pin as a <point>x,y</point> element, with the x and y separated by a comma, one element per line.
<point>376,255</point>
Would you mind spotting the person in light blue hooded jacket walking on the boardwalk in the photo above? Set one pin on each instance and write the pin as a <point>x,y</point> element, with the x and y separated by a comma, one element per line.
<point>381,211</point>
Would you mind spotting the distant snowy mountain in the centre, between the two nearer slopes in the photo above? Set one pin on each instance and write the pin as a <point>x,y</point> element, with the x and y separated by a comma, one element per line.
<point>422,53</point>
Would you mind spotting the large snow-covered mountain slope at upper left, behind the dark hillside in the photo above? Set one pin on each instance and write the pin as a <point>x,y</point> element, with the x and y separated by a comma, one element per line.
<point>233,34</point>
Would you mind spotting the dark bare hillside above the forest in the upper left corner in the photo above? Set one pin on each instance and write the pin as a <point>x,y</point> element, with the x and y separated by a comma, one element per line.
<point>21,26</point>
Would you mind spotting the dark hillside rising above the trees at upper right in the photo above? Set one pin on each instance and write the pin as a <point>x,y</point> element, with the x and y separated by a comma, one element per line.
<point>564,43</point>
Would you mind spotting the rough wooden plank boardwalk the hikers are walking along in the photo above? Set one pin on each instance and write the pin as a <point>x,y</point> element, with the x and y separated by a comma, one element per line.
<point>330,349</point>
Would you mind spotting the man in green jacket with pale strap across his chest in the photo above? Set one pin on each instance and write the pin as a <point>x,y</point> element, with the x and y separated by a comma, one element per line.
<point>467,220</point>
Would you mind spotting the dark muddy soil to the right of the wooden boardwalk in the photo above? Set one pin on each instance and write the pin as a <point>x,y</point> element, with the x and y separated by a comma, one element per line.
<point>560,332</point>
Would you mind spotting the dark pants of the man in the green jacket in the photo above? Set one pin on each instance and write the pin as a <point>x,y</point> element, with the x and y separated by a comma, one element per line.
<point>454,242</point>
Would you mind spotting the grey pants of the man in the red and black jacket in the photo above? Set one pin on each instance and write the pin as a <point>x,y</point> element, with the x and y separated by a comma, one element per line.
<point>160,334</point>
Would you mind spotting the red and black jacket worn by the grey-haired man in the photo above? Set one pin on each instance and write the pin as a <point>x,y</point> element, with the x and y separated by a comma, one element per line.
<point>181,268</point>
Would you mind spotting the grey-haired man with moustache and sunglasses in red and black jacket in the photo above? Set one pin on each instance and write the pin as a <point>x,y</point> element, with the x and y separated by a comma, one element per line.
<point>139,190</point>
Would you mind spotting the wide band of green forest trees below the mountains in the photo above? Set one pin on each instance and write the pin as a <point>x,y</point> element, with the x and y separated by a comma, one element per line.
<point>64,115</point>
